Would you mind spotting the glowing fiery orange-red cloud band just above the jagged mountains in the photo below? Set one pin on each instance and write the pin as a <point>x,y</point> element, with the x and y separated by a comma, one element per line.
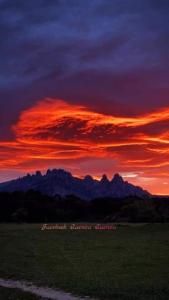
<point>54,133</point>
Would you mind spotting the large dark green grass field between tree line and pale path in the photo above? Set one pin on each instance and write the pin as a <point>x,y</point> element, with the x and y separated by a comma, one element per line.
<point>129,263</point>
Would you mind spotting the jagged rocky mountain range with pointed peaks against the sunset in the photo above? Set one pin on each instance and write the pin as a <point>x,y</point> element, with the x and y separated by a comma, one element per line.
<point>61,182</point>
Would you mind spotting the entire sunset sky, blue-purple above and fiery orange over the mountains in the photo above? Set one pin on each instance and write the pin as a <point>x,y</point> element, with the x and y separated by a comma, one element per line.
<point>84,86</point>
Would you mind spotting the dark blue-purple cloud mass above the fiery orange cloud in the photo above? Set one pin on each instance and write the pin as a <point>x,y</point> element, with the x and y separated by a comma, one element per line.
<point>104,54</point>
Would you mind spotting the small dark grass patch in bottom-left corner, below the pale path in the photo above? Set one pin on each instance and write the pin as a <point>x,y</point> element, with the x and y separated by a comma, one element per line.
<point>14,294</point>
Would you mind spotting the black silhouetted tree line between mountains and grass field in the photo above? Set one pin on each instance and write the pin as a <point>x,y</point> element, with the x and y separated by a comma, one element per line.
<point>33,207</point>
